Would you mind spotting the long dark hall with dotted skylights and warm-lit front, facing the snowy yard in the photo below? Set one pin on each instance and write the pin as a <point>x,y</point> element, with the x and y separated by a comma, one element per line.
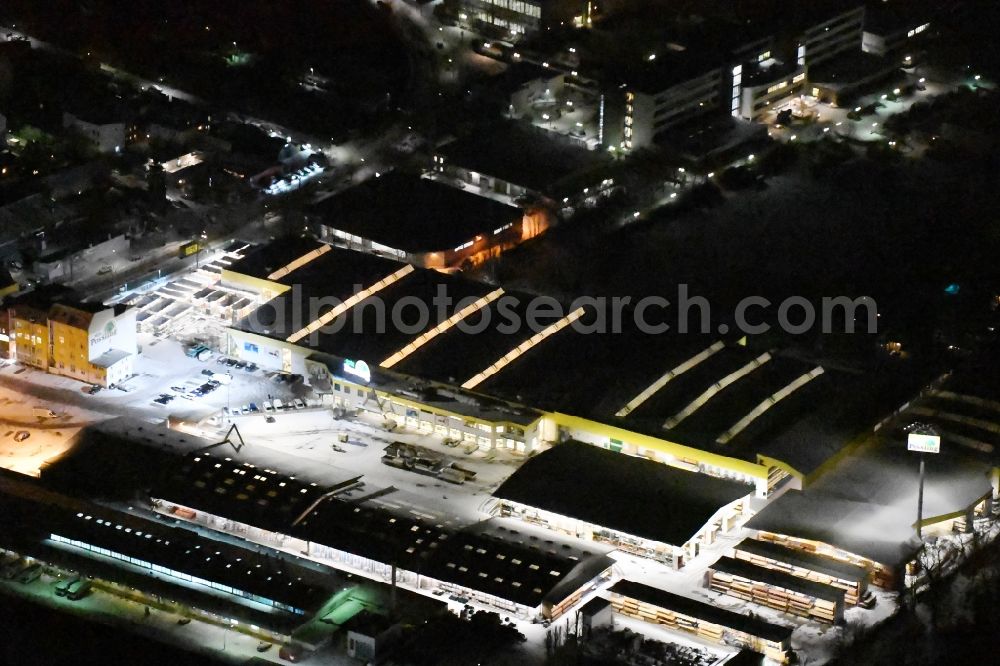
<point>356,537</point>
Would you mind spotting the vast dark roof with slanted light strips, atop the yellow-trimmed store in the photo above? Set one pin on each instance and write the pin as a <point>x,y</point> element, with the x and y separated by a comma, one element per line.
<point>698,390</point>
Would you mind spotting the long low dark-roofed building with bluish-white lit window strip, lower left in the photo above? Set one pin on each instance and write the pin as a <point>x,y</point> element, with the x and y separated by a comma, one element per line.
<point>184,570</point>
